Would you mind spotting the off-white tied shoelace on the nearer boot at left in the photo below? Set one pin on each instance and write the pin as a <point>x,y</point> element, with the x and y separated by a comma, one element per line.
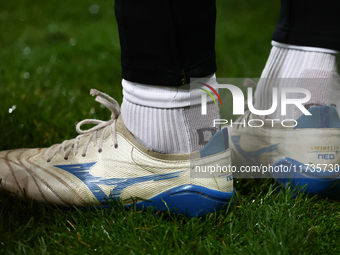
<point>67,146</point>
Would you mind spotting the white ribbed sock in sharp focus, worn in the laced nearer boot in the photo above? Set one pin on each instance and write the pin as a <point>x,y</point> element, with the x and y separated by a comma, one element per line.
<point>164,120</point>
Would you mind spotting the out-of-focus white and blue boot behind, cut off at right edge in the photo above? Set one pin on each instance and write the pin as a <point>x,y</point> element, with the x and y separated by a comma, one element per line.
<point>306,153</point>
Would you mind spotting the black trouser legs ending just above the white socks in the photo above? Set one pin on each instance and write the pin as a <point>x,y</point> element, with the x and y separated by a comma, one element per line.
<point>166,42</point>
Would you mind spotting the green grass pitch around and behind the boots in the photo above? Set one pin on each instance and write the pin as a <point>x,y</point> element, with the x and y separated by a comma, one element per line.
<point>51,54</point>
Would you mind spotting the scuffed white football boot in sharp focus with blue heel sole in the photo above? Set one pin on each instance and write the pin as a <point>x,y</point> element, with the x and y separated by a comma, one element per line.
<point>107,162</point>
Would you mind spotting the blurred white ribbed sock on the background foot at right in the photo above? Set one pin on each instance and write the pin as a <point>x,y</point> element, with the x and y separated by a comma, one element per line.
<point>290,61</point>
